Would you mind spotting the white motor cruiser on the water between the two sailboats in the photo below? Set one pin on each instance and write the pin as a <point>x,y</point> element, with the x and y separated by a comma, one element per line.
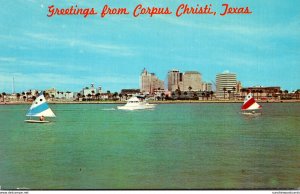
<point>135,103</point>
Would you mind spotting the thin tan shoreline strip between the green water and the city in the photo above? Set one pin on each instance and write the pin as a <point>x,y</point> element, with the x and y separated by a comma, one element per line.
<point>152,102</point>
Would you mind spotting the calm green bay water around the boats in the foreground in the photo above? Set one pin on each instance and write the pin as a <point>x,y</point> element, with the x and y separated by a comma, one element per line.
<point>182,146</point>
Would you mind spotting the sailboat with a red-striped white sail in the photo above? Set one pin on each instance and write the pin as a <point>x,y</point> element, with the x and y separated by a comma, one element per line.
<point>250,106</point>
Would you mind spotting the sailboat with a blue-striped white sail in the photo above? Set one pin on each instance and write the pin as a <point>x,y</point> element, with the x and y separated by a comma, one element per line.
<point>39,108</point>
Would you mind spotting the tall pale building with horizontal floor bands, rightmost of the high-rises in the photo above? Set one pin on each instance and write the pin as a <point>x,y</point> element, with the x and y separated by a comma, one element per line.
<point>225,80</point>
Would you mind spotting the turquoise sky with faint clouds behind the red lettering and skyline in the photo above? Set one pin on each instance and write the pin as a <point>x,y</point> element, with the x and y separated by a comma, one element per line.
<point>71,52</point>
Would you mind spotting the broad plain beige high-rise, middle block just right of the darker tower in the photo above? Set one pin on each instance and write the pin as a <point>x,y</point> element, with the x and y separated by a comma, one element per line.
<point>192,81</point>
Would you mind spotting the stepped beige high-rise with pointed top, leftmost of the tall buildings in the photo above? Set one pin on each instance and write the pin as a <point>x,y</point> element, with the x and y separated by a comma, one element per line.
<point>149,82</point>
